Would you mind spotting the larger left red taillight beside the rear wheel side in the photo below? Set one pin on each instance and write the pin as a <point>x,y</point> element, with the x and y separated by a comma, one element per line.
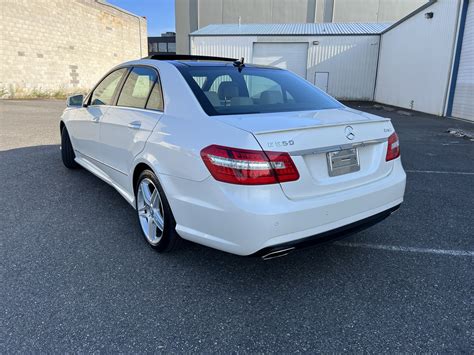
<point>248,167</point>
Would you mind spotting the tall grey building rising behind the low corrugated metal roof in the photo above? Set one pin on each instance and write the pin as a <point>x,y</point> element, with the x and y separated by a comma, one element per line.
<point>192,15</point>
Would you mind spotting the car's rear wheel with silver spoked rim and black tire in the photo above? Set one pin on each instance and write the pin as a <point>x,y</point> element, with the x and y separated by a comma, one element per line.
<point>162,238</point>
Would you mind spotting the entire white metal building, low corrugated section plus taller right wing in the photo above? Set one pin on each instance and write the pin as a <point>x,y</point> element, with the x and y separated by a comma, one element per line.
<point>423,62</point>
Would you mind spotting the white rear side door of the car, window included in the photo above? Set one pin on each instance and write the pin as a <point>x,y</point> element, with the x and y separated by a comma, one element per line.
<point>126,127</point>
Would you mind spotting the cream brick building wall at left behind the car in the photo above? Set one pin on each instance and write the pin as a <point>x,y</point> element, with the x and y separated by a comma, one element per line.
<point>49,46</point>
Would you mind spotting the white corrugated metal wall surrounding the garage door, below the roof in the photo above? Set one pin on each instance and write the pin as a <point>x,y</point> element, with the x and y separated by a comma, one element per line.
<point>350,61</point>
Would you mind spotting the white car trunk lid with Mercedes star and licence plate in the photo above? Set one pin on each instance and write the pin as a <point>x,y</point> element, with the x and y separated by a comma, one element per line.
<point>333,150</point>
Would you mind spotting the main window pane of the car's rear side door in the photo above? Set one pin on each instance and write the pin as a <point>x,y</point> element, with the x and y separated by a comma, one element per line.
<point>137,87</point>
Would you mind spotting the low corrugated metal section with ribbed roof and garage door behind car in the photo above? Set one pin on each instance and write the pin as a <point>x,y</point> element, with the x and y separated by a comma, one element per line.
<point>341,59</point>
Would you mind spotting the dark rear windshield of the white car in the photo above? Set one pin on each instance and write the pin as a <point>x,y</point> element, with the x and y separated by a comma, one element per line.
<point>223,90</point>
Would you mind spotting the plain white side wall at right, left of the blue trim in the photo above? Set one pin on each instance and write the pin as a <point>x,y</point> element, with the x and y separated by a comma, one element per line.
<point>415,60</point>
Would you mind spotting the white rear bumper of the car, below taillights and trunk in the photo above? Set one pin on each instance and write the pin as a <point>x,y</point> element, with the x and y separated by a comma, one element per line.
<point>245,220</point>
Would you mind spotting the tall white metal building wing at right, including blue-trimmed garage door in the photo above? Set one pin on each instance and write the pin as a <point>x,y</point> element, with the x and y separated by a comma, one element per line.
<point>426,60</point>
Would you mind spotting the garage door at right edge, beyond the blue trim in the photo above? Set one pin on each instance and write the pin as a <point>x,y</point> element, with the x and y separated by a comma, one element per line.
<point>463,104</point>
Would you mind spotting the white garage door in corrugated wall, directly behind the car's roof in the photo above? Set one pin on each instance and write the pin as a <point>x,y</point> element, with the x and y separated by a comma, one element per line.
<point>291,56</point>
